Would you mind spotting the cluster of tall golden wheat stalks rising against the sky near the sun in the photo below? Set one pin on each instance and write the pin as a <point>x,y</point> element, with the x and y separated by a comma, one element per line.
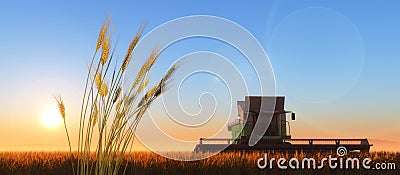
<point>109,104</point>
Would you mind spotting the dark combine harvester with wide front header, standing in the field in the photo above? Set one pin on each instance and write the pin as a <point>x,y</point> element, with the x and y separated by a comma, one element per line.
<point>277,137</point>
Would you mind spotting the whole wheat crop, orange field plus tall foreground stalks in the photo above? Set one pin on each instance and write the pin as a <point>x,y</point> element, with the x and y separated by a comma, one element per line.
<point>112,112</point>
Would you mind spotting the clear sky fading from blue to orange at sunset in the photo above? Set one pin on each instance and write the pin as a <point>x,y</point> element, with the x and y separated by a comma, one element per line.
<point>335,61</point>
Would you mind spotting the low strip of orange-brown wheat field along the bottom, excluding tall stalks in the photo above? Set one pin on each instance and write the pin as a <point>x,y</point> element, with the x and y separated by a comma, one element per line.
<point>151,163</point>
